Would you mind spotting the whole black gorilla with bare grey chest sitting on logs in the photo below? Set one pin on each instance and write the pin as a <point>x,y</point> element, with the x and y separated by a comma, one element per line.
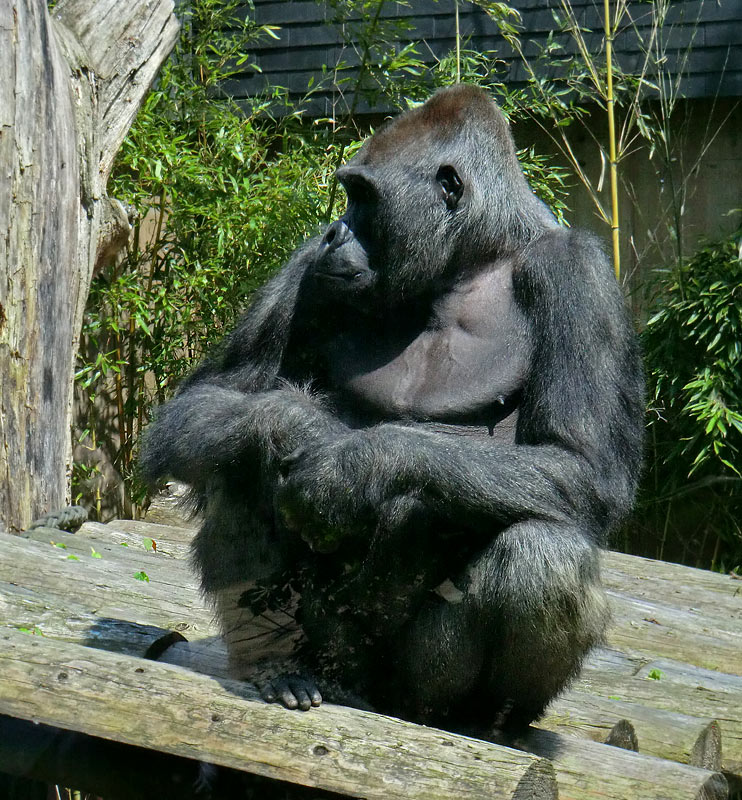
<point>410,449</point>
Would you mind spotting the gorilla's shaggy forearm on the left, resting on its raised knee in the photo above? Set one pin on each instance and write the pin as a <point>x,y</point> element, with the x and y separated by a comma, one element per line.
<point>209,428</point>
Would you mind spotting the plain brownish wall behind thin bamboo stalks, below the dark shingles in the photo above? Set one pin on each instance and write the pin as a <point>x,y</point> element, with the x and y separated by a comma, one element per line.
<point>696,195</point>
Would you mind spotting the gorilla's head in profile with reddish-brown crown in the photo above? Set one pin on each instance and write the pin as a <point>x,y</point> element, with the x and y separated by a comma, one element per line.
<point>434,192</point>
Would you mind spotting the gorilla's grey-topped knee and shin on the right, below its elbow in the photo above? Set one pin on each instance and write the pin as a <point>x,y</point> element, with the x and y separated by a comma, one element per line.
<point>542,584</point>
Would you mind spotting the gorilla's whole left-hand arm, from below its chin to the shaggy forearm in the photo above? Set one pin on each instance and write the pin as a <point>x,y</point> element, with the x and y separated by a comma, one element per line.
<point>235,407</point>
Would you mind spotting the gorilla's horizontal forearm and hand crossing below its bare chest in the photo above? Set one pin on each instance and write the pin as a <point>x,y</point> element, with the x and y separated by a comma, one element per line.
<point>344,488</point>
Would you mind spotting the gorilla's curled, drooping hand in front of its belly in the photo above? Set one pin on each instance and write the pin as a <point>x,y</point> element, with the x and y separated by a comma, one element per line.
<point>332,491</point>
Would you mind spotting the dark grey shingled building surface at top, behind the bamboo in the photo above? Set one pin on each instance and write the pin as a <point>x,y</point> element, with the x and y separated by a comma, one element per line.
<point>310,37</point>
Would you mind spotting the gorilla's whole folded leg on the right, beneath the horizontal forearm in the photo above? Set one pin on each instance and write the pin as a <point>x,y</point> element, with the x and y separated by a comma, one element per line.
<point>529,610</point>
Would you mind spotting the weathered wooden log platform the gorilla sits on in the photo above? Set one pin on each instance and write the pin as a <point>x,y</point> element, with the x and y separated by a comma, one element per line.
<point>78,612</point>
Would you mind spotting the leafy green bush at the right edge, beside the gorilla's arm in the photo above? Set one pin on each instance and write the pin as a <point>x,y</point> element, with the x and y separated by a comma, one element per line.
<point>693,346</point>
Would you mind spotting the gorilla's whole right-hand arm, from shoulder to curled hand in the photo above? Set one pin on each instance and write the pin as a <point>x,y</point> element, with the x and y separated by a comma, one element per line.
<point>578,442</point>
